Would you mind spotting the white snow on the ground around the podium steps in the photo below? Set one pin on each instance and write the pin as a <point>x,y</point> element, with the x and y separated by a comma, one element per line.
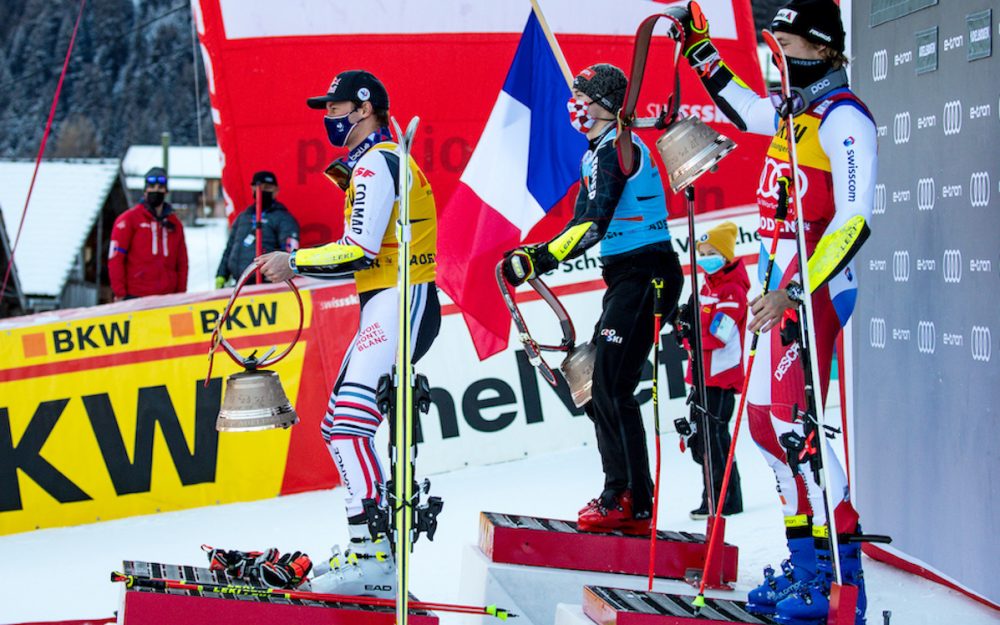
<point>553,485</point>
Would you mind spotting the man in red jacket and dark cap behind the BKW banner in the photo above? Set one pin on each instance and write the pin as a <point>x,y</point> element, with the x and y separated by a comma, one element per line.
<point>148,255</point>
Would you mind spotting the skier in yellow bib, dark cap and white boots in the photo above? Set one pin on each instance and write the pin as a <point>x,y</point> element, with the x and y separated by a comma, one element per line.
<point>357,117</point>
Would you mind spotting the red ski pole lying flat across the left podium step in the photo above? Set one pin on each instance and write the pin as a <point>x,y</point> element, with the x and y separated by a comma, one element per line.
<point>157,583</point>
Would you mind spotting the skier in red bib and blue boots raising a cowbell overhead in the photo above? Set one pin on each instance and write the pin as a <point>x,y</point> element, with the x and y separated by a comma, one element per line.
<point>835,137</point>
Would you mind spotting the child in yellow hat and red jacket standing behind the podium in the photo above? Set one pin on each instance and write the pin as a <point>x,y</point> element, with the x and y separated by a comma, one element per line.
<point>723,300</point>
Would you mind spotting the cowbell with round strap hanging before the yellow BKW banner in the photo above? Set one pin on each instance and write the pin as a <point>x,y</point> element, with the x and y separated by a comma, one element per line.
<point>254,398</point>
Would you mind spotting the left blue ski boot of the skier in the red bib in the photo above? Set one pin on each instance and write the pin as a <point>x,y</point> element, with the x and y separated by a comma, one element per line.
<point>799,567</point>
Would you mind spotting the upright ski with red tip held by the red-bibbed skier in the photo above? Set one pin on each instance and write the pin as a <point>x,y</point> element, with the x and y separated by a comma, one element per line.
<point>810,364</point>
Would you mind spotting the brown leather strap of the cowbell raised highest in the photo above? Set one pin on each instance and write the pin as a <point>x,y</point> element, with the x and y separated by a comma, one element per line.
<point>626,115</point>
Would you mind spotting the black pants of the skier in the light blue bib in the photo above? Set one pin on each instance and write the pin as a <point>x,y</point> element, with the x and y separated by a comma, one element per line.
<point>623,337</point>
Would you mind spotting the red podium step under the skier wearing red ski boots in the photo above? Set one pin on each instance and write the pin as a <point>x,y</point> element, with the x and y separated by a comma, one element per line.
<point>534,541</point>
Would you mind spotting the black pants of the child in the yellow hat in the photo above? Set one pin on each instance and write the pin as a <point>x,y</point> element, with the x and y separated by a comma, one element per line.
<point>720,405</point>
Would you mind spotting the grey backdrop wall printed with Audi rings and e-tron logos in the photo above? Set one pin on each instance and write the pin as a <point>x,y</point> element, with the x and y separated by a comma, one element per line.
<point>926,359</point>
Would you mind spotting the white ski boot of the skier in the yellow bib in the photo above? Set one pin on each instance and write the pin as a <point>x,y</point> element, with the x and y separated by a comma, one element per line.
<point>366,568</point>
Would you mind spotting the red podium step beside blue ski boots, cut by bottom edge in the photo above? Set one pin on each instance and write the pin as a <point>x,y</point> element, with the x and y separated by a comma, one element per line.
<point>616,606</point>
